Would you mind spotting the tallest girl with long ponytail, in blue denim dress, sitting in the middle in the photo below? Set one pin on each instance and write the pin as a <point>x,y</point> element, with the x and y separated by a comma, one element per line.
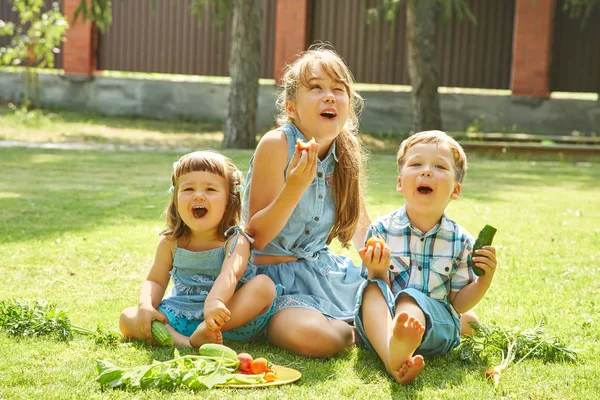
<point>298,201</point>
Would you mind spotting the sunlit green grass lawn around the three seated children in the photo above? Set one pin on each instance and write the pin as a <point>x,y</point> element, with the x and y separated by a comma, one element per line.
<point>79,228</point>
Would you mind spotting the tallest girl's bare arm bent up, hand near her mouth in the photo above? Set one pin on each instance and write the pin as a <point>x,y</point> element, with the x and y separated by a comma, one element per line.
<point>274,196</point>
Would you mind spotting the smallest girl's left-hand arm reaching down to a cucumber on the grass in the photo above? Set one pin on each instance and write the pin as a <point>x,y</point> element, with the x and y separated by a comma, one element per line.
<point>153,288</point>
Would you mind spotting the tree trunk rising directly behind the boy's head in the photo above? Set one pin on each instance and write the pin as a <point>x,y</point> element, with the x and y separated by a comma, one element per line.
<point>422,60</point>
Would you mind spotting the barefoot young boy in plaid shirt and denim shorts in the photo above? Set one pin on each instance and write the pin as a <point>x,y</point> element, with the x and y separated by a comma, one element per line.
<point>419,282</point>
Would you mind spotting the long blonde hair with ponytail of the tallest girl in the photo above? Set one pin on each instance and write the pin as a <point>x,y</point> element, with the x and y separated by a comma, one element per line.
<point>349,170</point>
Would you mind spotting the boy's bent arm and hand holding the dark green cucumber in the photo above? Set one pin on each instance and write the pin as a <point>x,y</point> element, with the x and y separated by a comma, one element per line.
<point>471,294</point>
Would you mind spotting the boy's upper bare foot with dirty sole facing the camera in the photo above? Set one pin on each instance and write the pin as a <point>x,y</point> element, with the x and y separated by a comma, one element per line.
<point>406,337</point>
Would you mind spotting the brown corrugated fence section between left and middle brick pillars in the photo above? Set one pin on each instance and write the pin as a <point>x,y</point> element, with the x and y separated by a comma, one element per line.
<point>168,39</point>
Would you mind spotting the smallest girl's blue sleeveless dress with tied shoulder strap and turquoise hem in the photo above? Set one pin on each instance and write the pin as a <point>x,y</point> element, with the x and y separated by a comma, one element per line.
<point>193,275</point>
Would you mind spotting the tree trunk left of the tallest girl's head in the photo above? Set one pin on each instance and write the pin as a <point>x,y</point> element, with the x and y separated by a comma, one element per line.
<point>244,69</point>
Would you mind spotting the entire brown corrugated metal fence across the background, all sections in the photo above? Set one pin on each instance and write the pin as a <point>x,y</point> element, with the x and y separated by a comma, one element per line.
<point>168,39</point>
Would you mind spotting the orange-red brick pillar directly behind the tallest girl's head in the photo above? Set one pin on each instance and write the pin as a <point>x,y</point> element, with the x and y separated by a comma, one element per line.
<point>291,32</point>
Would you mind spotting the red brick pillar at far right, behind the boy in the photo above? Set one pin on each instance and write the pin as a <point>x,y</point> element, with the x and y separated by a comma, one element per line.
<point>532,48</point>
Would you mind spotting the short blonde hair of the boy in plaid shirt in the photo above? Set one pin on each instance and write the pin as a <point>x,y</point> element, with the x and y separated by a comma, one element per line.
<point>439,138</point>
